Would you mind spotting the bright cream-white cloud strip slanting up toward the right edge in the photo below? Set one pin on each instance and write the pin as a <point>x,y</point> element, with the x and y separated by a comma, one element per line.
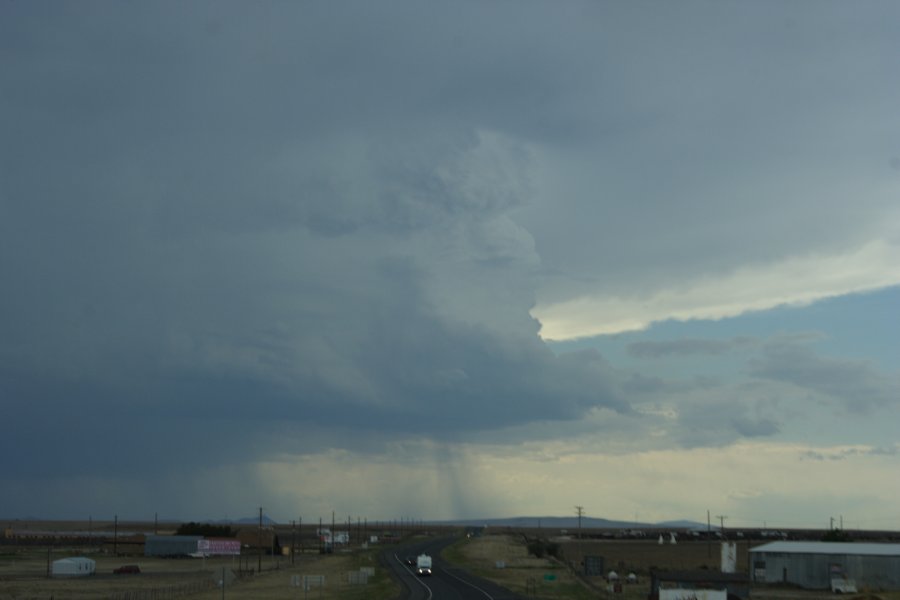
<point>796,281</point>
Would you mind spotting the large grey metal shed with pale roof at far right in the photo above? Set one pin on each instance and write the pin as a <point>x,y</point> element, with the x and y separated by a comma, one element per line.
<point>813,565</point>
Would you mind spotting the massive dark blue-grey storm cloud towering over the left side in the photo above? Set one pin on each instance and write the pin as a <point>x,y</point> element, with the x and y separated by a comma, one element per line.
<point>233,223</point>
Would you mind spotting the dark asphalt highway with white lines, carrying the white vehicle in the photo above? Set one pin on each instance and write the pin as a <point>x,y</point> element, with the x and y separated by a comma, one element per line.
<point>446,581</point>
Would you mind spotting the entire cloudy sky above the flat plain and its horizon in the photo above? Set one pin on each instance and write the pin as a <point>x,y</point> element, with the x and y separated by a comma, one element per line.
<point>451,260</point>
